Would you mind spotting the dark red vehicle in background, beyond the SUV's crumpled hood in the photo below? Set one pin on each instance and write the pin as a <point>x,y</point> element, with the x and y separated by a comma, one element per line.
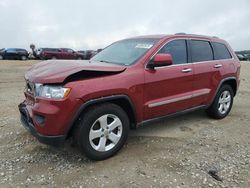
<point>58,53</point>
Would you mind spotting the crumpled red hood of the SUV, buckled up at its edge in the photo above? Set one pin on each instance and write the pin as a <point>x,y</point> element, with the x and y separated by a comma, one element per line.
<point>56,71</point>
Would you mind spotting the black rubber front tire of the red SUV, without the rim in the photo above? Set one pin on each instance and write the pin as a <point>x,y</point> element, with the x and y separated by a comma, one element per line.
<point>89,118</point>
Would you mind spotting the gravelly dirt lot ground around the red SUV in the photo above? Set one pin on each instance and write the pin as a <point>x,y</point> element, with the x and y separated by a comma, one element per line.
<point>176,152</point>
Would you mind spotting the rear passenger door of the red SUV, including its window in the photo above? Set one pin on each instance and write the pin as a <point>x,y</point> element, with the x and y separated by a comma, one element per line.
<point>206,73</point>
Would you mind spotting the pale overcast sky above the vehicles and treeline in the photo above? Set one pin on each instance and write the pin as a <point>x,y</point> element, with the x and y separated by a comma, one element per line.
<point>92,24</point>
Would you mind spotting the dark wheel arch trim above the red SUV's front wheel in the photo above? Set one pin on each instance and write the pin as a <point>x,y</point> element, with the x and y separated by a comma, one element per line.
<point>97,101</point>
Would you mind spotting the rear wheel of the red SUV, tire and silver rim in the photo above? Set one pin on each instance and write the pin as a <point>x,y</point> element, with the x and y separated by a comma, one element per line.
<point>222,103</point>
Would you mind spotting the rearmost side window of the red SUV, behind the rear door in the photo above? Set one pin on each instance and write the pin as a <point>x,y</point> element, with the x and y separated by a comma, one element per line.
<point>221,51</point>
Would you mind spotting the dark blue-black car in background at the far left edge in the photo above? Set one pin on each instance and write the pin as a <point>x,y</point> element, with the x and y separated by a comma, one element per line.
<point>14,53</point>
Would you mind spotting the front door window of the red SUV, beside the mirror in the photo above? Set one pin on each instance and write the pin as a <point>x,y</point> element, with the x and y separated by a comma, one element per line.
<point>178,50</point>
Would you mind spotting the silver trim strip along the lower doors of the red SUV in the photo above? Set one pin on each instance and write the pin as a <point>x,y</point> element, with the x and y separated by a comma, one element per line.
<point>178,99</point>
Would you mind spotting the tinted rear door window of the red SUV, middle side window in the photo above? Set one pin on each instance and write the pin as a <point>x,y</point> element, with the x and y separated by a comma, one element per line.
<point>201,51</point>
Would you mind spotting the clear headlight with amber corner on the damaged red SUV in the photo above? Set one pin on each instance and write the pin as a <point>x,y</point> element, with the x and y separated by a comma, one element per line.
<point>52,92</point>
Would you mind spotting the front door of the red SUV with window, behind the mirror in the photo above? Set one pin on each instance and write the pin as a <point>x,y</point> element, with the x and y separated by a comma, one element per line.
<point>168,89</point>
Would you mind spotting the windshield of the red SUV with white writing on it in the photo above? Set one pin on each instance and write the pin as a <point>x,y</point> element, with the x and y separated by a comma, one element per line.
<point>125,52</point>
